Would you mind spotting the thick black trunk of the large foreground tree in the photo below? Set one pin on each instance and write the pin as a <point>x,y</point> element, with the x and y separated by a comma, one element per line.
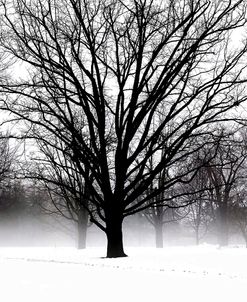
<point>114,235</point>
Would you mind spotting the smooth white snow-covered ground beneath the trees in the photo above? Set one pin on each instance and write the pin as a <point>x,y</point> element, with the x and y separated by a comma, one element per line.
<point>200,274</point>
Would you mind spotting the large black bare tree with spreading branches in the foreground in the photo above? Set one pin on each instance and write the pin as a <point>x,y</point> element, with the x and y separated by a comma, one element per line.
<point>99,72</point>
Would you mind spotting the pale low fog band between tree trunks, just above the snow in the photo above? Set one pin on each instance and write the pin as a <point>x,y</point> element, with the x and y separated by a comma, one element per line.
<point>57,231</point>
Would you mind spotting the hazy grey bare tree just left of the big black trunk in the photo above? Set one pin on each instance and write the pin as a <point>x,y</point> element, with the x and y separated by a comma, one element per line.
<point>68,195</point>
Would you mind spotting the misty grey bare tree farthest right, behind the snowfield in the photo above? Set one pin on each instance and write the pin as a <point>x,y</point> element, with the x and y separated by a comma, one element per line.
<point>224,173</point>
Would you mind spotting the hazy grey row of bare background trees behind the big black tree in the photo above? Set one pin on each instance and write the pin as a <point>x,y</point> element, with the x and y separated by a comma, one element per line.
<point>214,200</point>
